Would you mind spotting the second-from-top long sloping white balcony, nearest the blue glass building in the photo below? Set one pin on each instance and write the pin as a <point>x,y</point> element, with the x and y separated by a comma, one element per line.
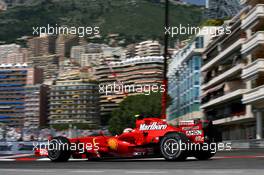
<point>221,77</point>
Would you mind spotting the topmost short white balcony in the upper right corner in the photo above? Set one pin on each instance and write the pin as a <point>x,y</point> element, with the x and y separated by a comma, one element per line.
<point>253,15</point>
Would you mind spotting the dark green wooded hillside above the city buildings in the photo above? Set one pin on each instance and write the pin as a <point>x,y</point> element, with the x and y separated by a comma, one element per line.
<point>132,19</point>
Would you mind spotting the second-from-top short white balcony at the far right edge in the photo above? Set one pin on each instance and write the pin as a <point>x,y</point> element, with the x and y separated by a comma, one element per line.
<point>256,40</point>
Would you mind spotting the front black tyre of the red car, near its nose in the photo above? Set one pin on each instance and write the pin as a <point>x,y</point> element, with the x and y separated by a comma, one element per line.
<point>59,149</point>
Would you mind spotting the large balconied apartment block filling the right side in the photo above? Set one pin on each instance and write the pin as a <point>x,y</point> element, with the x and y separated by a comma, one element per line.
<point>232,72</point>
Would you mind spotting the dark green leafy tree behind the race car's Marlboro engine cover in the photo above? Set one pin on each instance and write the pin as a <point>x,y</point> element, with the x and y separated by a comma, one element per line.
<point>123,117</point>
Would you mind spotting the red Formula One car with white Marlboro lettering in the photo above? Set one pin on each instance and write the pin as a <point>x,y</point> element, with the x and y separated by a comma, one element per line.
<point>152,137</point>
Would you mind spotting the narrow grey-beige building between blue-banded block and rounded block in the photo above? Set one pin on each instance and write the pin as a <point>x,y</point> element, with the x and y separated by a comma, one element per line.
<point>36,106</point>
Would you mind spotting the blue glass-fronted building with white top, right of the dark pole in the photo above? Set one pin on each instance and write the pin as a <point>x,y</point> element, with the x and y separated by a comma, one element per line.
<point>184,80</point>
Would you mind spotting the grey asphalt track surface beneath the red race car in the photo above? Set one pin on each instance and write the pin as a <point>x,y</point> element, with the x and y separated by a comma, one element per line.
<point>237,162</point>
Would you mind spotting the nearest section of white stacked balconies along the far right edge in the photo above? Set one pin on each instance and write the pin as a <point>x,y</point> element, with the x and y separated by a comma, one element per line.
<point>252,74</point>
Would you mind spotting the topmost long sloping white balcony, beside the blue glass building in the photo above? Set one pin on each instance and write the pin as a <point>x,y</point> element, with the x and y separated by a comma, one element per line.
<point>224,53</point>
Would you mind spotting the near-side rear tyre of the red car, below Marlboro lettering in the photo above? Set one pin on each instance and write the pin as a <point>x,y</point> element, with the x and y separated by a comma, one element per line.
<point>170,147</point>
